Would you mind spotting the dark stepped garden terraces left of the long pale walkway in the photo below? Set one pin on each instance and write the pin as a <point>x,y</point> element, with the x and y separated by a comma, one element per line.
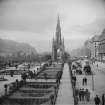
<point>39,91</point>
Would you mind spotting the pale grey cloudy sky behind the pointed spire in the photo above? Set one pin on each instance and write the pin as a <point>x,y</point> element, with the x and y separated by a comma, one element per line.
<point>34,21</point>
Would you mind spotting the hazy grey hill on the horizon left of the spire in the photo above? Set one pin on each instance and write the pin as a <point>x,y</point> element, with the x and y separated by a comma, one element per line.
<point>9,47</point>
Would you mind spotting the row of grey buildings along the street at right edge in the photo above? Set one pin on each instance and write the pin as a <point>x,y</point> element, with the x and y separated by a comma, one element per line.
<point>96,45</point>
